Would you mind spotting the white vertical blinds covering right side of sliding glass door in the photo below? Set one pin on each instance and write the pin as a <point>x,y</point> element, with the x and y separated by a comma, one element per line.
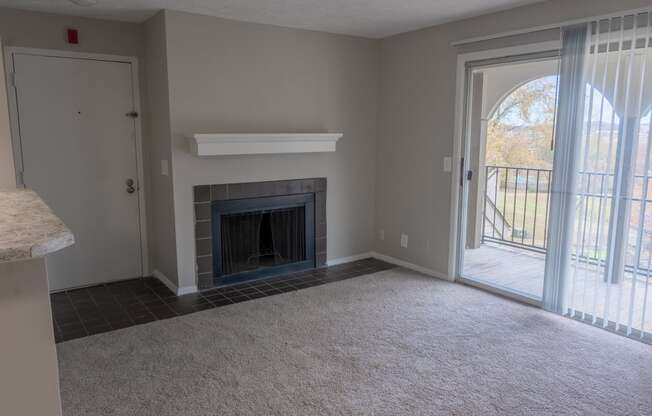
<point>605,267</point>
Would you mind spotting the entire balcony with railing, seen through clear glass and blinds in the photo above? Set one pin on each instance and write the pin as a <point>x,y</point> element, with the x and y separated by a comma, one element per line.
<point>509,252</point>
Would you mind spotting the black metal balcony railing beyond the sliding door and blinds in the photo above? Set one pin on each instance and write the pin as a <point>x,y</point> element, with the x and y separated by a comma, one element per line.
<point>517,201</point>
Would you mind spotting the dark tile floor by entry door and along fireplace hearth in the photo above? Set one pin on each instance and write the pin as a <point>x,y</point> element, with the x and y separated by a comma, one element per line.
<point>92,310</point>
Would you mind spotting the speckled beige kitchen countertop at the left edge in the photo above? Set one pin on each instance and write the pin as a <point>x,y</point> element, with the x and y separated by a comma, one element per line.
<point>28,227</point>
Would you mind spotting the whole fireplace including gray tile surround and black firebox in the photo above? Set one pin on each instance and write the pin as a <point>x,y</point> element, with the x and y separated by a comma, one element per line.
<point>248,231</point>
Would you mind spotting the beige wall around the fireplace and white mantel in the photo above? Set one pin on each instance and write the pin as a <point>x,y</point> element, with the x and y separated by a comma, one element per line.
<point>228,76</point>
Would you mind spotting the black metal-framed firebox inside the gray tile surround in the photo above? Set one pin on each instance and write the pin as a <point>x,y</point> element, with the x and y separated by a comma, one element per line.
<point>259,237</point>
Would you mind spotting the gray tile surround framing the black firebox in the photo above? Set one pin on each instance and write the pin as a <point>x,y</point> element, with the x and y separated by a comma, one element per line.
<point>204,195</point>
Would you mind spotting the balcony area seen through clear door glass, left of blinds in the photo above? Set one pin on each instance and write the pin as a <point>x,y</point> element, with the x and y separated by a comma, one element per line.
<point>509,251</point>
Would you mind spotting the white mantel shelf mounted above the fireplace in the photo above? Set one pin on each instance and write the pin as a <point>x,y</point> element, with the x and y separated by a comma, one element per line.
<point>262,143</point>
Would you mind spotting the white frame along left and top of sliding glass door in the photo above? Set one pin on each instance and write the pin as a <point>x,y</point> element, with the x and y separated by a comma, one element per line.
<point>458,205</point>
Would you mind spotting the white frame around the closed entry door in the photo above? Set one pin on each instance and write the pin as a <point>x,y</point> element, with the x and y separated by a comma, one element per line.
<point>15,129</point>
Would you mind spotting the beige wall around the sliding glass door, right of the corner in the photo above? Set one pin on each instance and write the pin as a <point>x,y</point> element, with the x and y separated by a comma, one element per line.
<point>416,122</point>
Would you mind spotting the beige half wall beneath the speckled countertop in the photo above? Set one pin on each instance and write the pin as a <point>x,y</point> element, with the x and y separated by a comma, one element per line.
<point>29,376</point>
